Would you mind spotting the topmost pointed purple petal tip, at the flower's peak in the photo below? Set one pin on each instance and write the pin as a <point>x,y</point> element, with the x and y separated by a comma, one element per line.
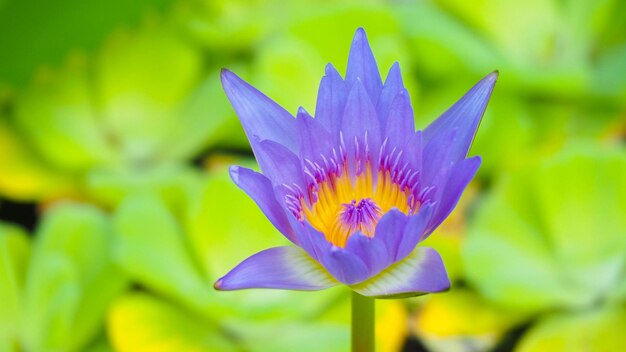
<point>362,65</point>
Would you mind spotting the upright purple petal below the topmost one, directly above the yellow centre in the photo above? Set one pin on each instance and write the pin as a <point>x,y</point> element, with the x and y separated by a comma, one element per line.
<point>360,128</point>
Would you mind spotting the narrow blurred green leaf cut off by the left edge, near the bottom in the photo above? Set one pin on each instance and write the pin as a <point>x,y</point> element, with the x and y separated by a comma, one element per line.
<point>14,256</point>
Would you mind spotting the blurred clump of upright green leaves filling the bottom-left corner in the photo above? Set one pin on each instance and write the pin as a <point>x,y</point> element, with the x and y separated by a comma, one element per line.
<point>58,288</point>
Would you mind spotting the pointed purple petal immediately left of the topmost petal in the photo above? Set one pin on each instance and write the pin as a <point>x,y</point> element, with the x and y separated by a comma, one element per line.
<point>331,99</point>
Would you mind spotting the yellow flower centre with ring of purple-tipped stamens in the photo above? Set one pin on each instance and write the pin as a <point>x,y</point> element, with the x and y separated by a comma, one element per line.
<point>343,196</point>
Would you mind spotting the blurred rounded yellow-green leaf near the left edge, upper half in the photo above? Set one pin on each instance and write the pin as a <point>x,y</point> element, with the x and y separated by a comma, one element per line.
<point>58,118</point>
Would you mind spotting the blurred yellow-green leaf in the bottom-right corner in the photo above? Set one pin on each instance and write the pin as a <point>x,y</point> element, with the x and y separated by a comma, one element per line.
<point>598,330</point>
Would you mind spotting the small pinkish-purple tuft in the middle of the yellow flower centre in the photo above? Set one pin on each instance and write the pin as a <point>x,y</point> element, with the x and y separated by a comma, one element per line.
<point>360,217</point>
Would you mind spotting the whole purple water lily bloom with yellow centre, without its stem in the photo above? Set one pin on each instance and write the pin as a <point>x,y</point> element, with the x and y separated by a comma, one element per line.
<point>356,188</point>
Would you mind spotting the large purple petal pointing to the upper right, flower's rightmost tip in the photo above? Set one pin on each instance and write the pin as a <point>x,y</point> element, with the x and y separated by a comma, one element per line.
<point>464,117</point>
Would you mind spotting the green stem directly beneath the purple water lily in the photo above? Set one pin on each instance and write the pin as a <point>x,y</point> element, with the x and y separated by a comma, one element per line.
<point>362,323</point>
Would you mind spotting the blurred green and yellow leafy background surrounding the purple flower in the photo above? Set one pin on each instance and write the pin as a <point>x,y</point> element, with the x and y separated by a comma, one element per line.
<point>117,213</point>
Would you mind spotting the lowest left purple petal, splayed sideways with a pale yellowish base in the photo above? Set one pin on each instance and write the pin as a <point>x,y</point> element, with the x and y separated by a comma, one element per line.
<point>286,267</point>
